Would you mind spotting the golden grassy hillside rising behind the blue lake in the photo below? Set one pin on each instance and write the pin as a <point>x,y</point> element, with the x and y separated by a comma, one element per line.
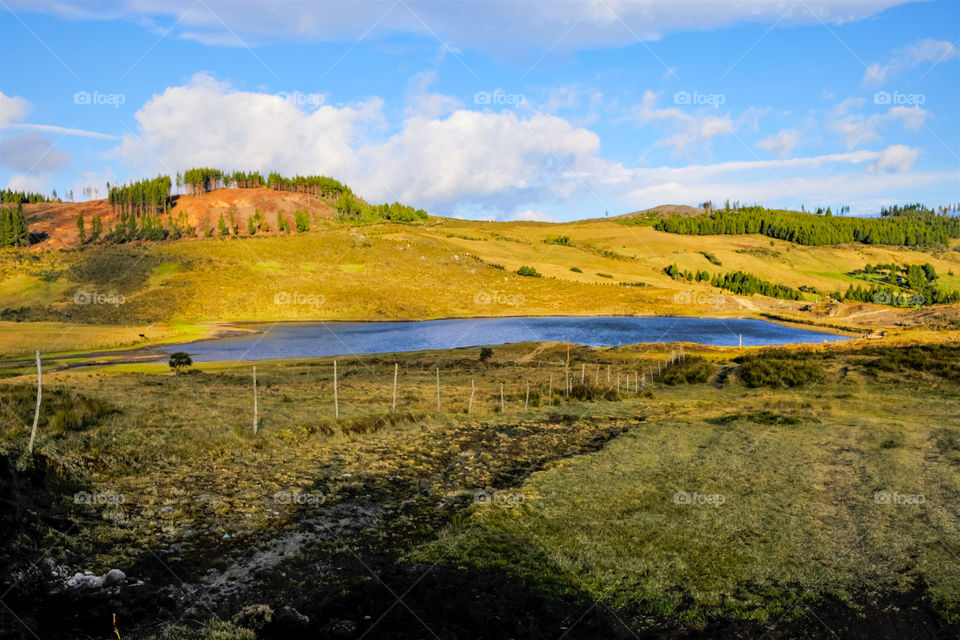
<point>442,268</point>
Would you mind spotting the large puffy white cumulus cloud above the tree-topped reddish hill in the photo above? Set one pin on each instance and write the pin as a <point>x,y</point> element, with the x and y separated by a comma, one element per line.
<point>429,160</point>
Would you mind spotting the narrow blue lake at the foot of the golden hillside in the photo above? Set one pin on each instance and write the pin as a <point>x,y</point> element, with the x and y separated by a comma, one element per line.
<point>343,338</point>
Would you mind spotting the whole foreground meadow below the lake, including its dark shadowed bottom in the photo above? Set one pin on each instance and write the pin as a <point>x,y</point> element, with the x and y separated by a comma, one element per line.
<point>792,492</point>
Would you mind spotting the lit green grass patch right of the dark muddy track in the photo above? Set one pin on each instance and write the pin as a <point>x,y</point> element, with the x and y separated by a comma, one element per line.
<point>791,512</point>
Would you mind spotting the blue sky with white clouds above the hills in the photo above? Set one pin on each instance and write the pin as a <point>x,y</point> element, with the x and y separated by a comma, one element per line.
<point>497,110</point>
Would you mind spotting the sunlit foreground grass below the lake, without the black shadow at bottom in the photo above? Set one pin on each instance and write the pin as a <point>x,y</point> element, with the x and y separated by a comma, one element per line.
<point>709,501</point>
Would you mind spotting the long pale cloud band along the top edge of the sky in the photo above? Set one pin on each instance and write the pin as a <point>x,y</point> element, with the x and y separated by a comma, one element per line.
<point>502,27</point>
